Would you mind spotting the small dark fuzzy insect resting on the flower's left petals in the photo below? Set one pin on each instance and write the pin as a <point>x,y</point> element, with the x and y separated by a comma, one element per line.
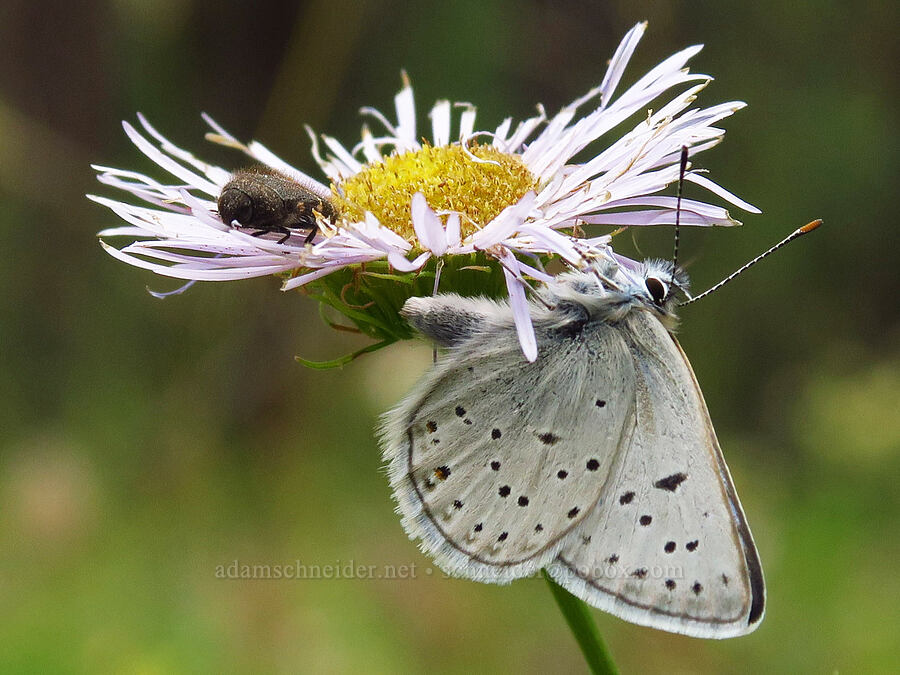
<point>268,201</point>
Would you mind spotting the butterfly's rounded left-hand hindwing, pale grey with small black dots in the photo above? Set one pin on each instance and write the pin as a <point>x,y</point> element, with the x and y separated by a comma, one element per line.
<point>494,460</point>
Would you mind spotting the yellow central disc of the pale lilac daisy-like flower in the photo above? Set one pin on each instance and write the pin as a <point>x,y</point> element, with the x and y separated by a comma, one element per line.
<point>477,182</point>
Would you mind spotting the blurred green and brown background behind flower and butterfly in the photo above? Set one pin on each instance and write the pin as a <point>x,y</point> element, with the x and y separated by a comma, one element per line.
<point>144,443</point>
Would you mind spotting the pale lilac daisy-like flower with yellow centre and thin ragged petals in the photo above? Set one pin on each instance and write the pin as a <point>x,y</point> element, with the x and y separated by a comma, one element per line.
<point>473,200</point>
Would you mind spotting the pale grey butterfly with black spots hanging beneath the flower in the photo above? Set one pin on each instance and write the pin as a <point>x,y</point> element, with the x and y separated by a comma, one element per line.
<point>597,461</point>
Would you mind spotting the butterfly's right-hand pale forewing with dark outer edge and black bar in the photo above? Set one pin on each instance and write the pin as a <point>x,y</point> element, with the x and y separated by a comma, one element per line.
<point>668,545</point>
